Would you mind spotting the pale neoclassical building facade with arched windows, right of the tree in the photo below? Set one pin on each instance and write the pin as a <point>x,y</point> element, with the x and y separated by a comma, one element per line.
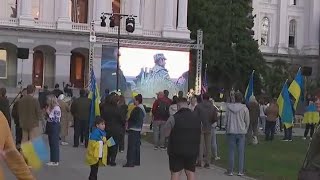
<point>288,30</point>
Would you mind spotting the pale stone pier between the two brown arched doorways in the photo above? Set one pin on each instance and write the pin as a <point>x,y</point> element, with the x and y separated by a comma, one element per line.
<point>62,67</point>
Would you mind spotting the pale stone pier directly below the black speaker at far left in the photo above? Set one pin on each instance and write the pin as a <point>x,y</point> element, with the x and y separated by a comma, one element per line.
<point>24,67</point>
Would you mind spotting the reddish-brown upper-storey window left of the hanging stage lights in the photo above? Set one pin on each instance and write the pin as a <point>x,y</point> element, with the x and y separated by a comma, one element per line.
<point>79,11</point>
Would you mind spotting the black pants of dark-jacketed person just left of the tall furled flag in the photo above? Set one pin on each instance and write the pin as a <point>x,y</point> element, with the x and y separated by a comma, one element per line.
<point>81,127</point>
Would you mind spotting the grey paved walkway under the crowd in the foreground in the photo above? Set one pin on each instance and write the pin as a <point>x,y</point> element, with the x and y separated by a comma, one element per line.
<point>154,166</point>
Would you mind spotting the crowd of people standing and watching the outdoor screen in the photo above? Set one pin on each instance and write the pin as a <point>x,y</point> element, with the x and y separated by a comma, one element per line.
<point>183,127</point>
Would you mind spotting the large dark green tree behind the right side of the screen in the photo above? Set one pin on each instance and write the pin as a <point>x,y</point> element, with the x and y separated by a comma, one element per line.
<point>230,51</point>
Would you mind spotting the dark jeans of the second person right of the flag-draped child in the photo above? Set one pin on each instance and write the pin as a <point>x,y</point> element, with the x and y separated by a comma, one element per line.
<point>133,151</point>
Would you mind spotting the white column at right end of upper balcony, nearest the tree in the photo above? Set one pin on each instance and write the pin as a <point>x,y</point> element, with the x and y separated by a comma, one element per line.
<point>183,15</point>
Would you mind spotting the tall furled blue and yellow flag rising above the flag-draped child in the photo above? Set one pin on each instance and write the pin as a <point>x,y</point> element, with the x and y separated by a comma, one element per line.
<point>95,98</point>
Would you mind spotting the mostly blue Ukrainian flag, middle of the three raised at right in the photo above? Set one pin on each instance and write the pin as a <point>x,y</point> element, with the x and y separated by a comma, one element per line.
<point>285,107</point>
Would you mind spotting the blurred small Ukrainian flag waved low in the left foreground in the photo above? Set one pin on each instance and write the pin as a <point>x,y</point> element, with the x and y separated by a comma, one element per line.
<point>35,152</point>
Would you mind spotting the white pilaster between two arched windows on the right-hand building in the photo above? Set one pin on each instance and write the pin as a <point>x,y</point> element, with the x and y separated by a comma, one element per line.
<point>283,27</point>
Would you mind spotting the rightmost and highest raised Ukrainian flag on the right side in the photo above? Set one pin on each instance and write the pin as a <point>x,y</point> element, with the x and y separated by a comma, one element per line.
<point>295,88</point>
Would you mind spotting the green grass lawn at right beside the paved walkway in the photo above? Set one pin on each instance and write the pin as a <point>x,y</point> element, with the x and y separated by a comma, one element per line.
<point>275,160</point>
